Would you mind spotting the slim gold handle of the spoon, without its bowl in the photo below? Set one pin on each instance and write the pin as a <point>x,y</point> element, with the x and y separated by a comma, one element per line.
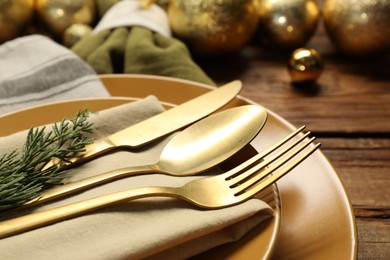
<point>73,187</point>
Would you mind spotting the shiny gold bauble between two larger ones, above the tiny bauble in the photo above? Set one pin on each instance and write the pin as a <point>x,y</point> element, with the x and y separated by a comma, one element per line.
<point>287,24</point>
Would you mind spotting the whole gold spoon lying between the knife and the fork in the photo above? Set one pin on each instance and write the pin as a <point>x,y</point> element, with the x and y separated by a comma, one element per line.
<point>192,151</point>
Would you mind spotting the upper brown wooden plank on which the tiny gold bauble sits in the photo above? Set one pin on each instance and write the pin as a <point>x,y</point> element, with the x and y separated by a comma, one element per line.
<point>351,96</point>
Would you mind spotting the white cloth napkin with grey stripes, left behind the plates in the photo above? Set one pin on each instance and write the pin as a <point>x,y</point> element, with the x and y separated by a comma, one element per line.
<point>36,70</point>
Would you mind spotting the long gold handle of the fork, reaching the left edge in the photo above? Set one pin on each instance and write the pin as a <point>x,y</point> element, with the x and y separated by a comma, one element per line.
<point>35,220</point>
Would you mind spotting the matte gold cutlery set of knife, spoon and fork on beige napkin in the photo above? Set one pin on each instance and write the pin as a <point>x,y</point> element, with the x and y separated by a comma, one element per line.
<point>201,146</point>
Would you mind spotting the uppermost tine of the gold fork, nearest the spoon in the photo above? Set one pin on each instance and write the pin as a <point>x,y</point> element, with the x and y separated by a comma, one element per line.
<point>231,173</point>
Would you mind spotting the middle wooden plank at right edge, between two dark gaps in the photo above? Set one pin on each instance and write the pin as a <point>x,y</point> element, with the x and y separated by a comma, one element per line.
<point>364,166</point>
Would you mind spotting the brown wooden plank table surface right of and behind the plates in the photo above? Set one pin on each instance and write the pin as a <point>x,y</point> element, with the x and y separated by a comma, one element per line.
<point>348,110</point>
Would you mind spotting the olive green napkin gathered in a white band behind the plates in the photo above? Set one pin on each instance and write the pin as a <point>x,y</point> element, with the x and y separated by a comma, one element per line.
<point>134,40</point>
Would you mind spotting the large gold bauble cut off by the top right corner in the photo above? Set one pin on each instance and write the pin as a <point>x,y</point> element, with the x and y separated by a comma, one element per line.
<point>358,28</point>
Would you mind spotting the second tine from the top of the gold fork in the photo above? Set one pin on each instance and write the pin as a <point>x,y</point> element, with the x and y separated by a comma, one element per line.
<point>239,177</point>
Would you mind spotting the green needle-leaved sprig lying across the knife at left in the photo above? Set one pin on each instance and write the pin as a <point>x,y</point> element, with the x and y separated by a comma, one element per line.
<point>24,175</point>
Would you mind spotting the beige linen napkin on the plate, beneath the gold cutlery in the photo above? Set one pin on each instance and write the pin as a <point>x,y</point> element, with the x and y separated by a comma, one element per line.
<point>156,228</point>
